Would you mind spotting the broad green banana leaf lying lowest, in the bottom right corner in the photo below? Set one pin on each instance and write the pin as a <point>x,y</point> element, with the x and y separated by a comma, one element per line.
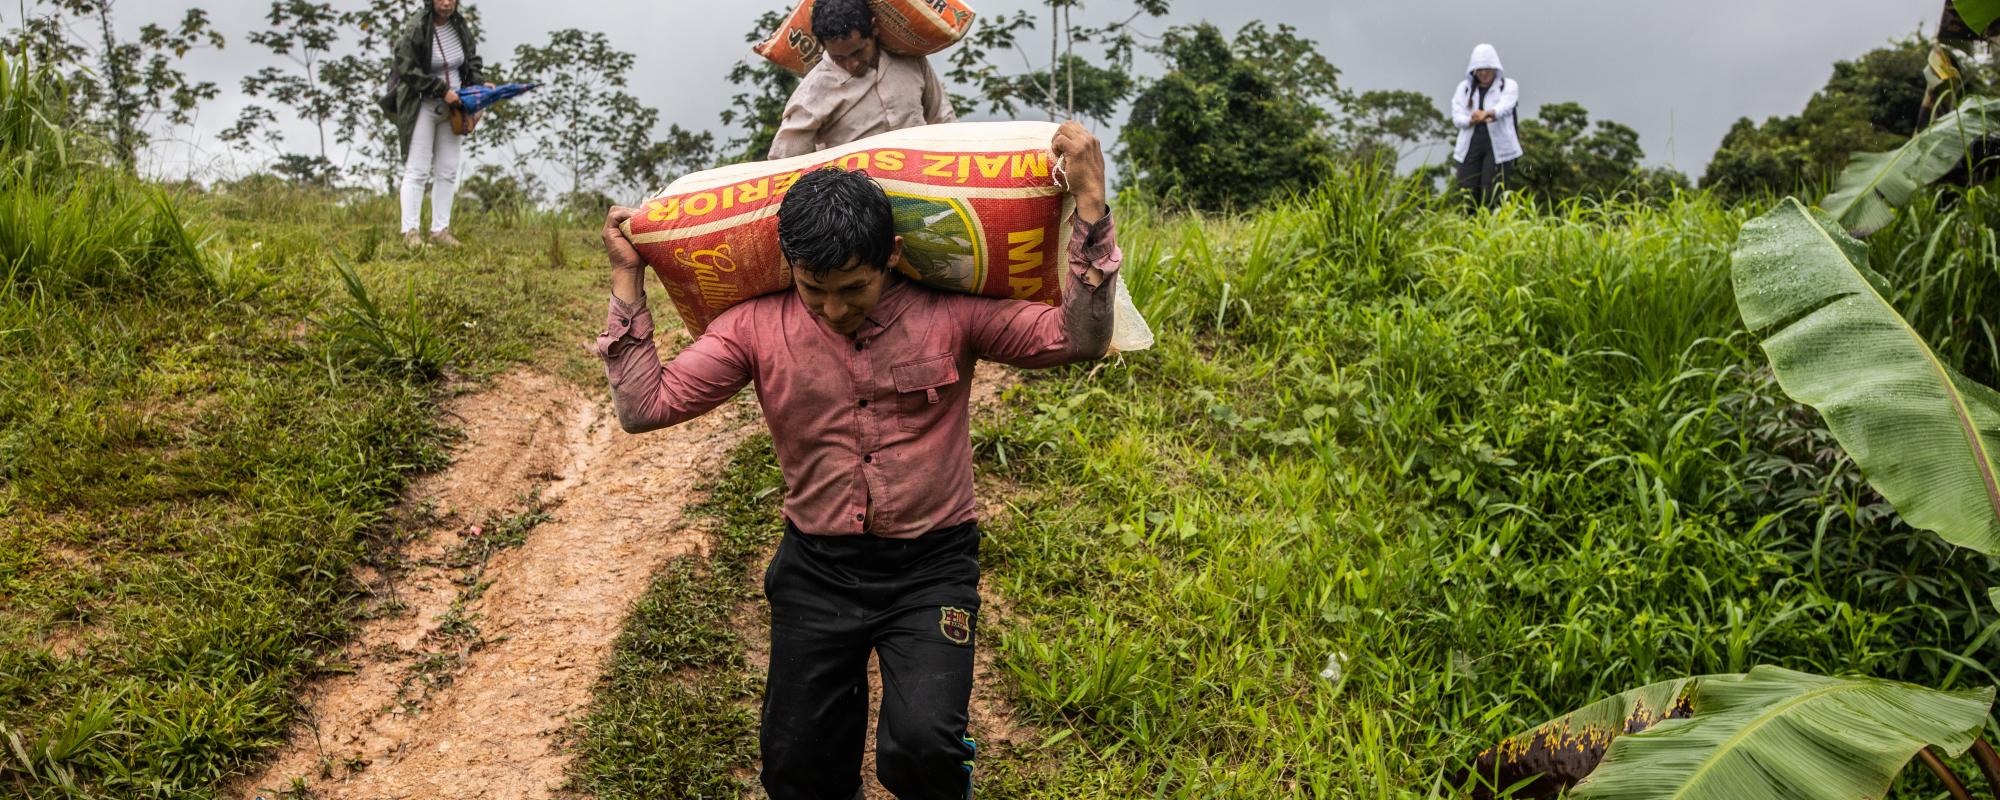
<point>1781,735</point>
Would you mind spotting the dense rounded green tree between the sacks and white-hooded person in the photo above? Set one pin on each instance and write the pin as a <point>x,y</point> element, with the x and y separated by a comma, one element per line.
<point>1231,125</point>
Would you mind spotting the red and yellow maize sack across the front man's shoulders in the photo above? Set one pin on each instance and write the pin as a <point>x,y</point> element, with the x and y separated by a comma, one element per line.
<point>977,207</point>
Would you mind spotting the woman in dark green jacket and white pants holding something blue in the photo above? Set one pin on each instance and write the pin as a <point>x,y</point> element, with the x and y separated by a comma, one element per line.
<point>435,57</point>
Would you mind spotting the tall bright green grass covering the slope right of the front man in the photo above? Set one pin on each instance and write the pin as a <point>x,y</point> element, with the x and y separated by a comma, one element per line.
<point>1473,469</point>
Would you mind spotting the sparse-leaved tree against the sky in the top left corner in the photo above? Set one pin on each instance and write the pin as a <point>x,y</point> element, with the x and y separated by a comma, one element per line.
<point>119,87</point>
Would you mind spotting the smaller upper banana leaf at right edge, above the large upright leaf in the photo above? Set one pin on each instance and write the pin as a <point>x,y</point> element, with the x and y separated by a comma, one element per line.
<point>1875,185</point>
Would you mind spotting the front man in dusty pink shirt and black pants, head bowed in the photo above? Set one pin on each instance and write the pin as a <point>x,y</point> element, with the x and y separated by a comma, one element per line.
<point>865,381</point>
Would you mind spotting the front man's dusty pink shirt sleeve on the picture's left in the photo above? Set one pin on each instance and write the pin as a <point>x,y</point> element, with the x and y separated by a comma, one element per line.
<point>649,395</point>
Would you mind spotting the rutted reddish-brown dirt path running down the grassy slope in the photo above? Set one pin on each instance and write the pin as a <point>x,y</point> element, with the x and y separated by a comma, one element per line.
<point>469,673</point>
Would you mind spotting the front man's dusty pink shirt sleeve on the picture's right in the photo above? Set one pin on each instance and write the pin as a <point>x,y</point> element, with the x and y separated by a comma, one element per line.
<point>1033,335</point>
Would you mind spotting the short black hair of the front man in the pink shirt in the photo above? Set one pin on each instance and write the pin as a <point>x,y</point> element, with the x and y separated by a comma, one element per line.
<point>833,215</point>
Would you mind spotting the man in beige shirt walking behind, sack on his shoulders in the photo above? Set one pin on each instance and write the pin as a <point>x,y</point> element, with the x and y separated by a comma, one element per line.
<point>857,91</point>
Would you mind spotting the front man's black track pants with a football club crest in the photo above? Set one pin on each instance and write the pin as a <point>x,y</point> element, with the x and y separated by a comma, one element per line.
<point>835,599</point>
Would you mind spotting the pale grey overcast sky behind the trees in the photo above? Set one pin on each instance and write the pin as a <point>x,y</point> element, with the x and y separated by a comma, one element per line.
<point>1679,73</point>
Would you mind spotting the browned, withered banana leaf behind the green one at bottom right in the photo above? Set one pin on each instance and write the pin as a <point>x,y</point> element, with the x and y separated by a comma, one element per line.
<point>1559,753</point>
